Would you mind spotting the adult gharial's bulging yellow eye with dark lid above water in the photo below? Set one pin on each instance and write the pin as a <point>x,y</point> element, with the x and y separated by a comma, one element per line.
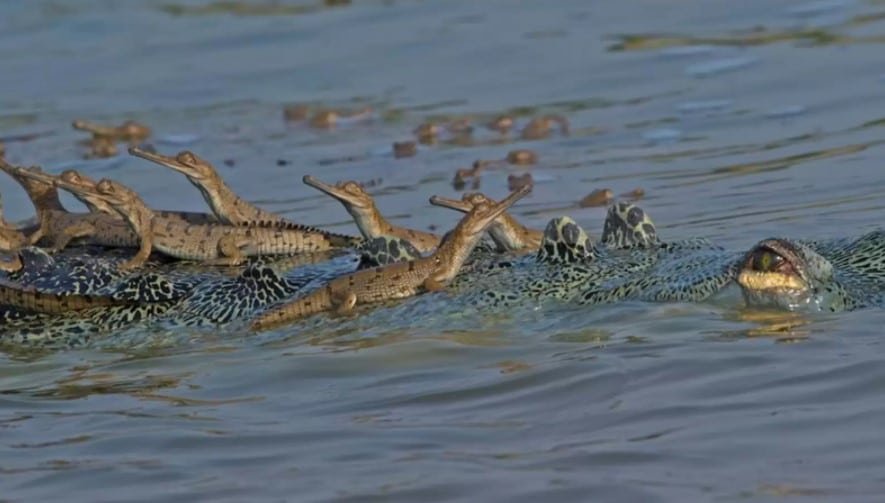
<point>790,275</point>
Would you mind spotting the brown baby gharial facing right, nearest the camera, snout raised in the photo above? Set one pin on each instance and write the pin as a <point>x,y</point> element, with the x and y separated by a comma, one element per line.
<point>398,280</point>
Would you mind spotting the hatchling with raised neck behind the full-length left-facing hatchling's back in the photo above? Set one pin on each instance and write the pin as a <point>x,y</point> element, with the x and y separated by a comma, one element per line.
<point>224,202</point>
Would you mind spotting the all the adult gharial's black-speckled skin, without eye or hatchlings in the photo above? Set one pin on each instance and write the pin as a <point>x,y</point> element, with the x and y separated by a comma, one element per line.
<point>629,263</point>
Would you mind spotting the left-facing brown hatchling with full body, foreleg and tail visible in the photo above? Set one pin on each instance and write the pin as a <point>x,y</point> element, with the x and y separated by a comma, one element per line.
<point>214,243</point>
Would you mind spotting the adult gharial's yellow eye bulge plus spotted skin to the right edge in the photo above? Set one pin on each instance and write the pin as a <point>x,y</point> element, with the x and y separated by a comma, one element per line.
<point>833,275</point>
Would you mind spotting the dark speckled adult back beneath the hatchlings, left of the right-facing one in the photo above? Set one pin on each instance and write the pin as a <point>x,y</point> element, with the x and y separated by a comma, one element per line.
<point>205,298</point>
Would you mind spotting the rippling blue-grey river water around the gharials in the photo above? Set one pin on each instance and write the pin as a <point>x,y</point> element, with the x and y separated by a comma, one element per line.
<point>740,120</point>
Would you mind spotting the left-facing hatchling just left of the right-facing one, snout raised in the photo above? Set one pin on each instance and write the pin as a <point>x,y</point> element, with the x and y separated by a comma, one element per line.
<point>369,220</point>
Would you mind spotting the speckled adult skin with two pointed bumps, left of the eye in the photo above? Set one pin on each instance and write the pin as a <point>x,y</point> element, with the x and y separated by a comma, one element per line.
<point>570,267</point>
